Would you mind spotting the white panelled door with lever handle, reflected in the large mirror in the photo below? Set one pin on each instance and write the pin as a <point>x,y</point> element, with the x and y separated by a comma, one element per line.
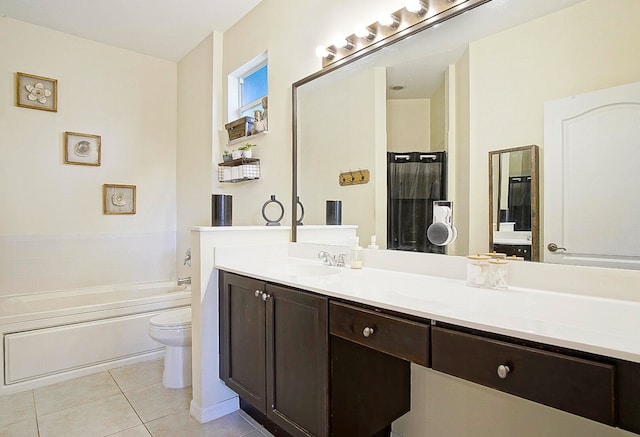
<point>592,178</point>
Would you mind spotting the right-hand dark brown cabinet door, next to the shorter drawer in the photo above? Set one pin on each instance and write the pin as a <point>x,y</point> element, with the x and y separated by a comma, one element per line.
<point>297,361</point>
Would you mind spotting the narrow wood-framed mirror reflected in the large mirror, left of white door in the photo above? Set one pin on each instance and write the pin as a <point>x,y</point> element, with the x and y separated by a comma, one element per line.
<point>513,202</point>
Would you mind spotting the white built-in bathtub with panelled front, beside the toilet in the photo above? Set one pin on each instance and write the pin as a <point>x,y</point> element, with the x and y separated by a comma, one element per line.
<point>53,336</point>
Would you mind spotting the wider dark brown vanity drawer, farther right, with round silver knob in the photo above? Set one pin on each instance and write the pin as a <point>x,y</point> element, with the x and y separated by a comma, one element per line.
<point>571,384</point>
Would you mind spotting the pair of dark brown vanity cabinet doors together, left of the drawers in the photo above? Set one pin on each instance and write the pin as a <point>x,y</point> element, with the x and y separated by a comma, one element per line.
<point>274,352</point>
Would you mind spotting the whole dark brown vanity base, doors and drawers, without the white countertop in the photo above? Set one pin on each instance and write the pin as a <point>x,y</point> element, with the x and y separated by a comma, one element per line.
<point>310,367</point>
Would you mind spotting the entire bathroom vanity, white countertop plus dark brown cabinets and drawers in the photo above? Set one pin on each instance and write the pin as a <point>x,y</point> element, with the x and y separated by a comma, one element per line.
<point>317,350</point>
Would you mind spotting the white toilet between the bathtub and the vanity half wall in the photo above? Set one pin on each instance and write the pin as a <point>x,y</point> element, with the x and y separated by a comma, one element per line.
<point>173,329</point>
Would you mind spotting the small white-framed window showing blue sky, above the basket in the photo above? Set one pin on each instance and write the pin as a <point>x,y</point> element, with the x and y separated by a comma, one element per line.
<point>247,86</point>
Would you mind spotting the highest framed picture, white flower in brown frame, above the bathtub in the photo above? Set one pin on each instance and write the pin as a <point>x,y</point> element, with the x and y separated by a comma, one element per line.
<point>36,92</point>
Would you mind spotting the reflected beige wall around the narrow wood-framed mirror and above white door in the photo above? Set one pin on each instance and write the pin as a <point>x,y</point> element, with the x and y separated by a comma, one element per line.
<point>514,72</point>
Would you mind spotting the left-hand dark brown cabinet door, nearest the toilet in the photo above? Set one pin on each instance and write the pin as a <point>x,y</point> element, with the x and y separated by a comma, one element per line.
<point>242,338</point>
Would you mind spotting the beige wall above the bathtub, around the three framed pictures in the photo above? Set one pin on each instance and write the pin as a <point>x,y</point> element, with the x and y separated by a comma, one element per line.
<point>53,233</point>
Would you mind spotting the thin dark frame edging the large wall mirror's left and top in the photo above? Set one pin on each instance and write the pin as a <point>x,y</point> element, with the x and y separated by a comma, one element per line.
<point>448,11</point>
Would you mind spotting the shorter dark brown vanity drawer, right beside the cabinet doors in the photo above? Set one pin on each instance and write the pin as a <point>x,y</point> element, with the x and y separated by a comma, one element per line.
<point>392,335</point>
